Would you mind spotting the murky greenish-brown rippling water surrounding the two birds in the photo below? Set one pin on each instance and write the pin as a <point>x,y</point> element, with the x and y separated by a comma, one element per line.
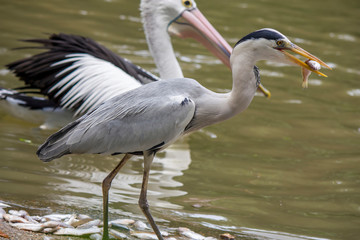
<point>286,168</point>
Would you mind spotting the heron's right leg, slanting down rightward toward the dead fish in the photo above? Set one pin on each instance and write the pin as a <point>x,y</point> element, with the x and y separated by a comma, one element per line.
<point>148,158</point>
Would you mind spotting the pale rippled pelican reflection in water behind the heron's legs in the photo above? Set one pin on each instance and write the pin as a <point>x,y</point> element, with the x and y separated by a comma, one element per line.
<point>84,179</point>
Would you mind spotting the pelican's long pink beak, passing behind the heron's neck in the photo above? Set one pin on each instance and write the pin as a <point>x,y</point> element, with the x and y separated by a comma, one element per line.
<point>191,23</point>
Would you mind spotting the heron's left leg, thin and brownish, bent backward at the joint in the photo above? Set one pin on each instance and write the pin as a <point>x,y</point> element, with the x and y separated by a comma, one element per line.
<point>106,187</point>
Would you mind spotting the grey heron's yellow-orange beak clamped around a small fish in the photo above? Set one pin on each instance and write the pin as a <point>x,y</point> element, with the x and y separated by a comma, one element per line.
<point>296,49</point>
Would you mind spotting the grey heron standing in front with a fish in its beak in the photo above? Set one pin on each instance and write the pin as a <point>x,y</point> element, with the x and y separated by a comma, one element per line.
<point>148,119</point>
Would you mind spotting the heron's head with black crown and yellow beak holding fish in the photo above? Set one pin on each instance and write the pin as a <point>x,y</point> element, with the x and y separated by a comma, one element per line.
<point>269,44</point>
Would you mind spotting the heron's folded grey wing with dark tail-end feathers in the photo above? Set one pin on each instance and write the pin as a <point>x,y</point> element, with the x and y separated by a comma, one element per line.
<point>128,123</point>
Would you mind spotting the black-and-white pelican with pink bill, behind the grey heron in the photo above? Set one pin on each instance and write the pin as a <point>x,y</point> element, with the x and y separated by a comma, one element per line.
<point>78,74</point>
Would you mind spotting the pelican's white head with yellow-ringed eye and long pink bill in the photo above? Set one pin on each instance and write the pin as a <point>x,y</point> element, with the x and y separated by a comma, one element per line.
<point>182,18</point>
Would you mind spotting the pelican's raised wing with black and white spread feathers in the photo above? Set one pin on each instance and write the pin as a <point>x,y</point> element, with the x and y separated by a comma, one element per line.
<point>77,73</point>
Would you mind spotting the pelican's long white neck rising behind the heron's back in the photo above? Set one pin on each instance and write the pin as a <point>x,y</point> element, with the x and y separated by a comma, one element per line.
<point>160,46</point>
